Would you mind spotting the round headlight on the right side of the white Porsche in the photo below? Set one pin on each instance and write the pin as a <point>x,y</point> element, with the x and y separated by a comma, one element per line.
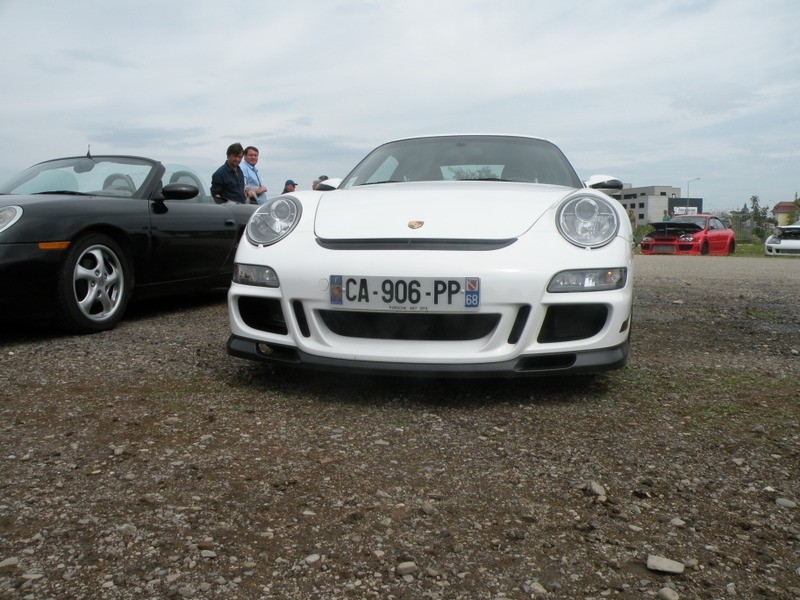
<point>587,221</point>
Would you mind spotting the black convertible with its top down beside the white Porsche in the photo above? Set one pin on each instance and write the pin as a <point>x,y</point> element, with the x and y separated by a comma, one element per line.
<point>81,236</point>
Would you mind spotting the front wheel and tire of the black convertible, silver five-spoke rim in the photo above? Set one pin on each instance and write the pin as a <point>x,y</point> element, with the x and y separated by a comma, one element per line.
<point>94,285</point>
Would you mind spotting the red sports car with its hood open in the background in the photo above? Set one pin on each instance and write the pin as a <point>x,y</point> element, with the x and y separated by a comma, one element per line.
<point>689,234</point>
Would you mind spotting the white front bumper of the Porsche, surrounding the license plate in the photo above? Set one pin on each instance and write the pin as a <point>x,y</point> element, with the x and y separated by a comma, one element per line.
<point>520,328</point>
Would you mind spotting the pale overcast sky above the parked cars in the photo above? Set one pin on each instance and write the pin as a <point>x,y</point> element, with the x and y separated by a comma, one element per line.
<point>654,93</point>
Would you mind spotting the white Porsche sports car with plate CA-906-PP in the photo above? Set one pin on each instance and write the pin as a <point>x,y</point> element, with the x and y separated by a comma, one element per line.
<point>463,255</point>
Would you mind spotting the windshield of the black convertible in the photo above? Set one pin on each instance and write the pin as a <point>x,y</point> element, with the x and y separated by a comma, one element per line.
<point>100,175</point>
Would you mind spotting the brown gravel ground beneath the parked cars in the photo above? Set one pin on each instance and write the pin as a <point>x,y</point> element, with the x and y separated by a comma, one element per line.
<point>146,463</point>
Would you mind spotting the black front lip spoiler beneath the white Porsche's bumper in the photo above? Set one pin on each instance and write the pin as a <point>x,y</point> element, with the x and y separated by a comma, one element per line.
<point>564,363</point>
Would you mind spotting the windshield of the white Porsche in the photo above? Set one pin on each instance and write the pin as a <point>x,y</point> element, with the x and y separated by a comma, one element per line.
<point>468,157</point>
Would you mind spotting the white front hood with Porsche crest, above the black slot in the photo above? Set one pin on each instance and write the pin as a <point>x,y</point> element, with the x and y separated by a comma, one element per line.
<point>434,210</point>
